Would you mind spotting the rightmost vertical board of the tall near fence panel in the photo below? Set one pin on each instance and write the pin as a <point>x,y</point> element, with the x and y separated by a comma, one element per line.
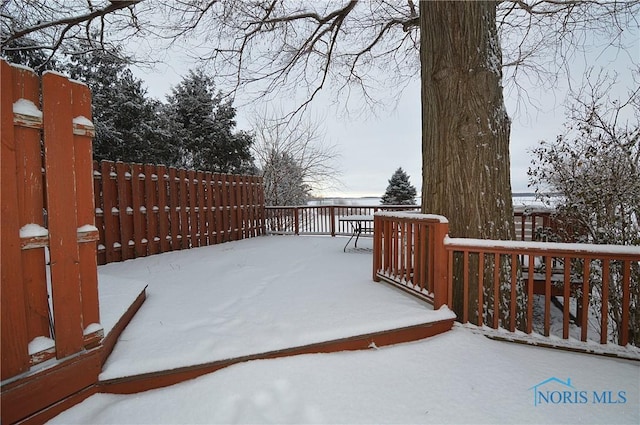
<point>85,207</point>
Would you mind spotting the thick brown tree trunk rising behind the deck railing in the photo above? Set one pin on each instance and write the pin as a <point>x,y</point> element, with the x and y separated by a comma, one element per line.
<point>465,127</point>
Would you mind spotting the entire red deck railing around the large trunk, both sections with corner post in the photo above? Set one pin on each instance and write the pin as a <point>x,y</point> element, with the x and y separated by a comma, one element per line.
<point>511,285</point>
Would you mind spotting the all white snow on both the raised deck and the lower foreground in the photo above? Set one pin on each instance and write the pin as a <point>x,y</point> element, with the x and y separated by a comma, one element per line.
<point>235,297</point>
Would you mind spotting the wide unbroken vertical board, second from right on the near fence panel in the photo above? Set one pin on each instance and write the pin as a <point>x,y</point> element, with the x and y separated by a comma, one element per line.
<point>61,198</point>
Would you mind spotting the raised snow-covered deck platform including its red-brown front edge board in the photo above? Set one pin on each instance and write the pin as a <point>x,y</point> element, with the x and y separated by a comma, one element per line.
<point>263,297</point>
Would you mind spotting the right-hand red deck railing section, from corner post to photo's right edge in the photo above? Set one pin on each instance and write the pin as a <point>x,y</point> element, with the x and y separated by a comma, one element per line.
<point>501,283</point>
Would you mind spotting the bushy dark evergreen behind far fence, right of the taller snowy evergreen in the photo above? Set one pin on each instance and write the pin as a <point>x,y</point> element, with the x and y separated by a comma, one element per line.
<point>205,126</point>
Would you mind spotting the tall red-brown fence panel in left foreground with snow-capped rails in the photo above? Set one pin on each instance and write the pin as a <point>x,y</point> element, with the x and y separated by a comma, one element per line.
<point>46,166</point>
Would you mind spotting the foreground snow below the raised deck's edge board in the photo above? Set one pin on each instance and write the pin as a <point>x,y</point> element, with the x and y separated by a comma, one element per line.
<point>456,377</point>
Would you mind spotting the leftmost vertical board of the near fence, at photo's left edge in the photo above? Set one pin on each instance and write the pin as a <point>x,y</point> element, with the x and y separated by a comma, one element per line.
<point>15,355</point>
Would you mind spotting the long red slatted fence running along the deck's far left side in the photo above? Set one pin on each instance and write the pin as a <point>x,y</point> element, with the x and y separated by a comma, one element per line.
<point>148,209</point>
